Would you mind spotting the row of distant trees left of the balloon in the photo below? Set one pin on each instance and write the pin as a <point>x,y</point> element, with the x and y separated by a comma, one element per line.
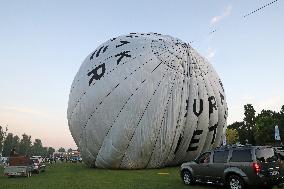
<point>23,145</point>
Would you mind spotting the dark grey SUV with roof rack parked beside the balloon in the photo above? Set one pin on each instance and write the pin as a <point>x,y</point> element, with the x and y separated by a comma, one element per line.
<point>236,167</point>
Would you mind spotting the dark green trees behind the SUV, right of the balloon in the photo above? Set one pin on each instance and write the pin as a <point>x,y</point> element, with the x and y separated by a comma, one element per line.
<point>256,129</point>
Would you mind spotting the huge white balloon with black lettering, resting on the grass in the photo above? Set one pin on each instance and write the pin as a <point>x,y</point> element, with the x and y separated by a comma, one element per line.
<point>145,100</point>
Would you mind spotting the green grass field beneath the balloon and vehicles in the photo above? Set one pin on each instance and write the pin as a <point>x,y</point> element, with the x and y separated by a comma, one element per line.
<point>78,176</point>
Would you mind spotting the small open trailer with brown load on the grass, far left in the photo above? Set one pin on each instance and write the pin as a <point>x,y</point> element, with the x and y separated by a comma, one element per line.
<point>18,166</point>
